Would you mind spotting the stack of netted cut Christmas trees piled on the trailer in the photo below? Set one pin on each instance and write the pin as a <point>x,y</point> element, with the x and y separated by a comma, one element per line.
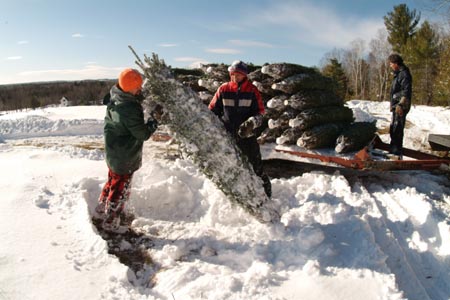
<point>302,107</point>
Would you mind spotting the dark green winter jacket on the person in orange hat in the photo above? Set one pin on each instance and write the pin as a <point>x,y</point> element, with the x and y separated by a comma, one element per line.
<point>125,132</point>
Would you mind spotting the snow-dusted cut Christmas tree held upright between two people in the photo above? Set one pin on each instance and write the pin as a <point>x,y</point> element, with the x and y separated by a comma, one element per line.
<point>205,140</point>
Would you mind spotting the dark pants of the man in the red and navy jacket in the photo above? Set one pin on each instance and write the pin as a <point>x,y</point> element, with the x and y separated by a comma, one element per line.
<point>250,148</point>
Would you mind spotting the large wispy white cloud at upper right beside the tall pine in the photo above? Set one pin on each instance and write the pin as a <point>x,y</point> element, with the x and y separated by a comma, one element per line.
<point>318,25</point>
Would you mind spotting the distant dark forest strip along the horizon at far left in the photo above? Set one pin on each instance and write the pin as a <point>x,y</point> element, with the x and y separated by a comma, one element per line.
<point>33,95</point>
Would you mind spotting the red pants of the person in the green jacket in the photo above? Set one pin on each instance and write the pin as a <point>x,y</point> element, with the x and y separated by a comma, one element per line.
<point>115,193</point>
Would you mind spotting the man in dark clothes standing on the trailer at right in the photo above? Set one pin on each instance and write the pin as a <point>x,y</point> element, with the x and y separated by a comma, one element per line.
<point>401,92</point>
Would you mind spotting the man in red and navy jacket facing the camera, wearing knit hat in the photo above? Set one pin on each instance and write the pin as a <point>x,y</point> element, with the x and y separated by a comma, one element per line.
<point>238,103</point>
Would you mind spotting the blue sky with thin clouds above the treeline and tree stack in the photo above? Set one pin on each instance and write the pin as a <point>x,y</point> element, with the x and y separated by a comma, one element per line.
<point>46,40</point>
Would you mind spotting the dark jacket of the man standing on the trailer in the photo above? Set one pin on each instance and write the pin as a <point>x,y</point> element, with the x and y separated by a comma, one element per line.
<point>401,87</point>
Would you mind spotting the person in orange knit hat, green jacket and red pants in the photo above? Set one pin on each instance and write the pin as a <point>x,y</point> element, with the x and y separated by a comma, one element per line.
<point>125,132</point>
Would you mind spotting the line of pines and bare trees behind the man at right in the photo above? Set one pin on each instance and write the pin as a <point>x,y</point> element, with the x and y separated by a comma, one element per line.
<point>363,72</point>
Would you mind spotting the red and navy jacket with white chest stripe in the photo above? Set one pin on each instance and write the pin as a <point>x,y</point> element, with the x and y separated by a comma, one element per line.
<point>235,103</point>
